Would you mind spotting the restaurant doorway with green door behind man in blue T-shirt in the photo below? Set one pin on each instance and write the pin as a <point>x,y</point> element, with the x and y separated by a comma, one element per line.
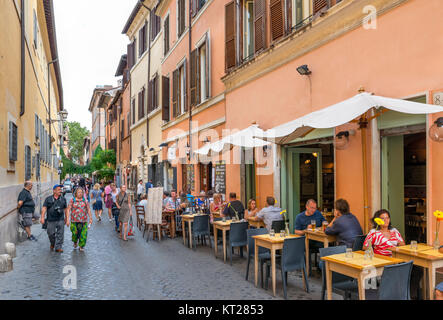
<point>310,175</point>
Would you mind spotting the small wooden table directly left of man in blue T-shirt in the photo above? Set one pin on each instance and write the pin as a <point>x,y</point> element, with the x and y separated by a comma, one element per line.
<point>273,244</point>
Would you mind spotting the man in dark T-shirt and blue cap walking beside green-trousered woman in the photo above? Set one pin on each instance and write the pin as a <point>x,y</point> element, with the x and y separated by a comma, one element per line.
<point>55,211</point>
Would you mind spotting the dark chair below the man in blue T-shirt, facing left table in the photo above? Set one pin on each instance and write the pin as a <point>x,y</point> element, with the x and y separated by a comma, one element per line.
<point>292,259</point>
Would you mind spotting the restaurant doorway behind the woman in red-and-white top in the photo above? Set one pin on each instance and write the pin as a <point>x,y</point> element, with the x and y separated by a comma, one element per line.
<point>404,183</point>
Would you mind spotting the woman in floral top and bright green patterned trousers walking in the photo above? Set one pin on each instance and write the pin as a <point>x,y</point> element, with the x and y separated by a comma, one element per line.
<point>78,213</point>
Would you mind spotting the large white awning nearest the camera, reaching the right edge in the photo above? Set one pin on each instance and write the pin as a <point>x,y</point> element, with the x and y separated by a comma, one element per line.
<point>342,113</point>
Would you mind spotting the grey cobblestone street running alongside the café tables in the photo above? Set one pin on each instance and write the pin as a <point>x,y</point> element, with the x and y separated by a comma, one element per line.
<point>112,269</point>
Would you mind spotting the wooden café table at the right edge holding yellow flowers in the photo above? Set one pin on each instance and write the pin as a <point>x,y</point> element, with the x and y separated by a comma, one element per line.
<point>426,257</point>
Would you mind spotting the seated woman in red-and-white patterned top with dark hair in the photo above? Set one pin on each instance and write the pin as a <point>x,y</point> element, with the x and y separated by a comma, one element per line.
<point>384,236</point>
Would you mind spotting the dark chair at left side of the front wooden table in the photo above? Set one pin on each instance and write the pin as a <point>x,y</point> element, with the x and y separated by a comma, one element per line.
<point>341,284</point>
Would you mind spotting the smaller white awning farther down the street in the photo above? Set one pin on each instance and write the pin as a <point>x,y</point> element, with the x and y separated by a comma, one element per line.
<point>247,138</point>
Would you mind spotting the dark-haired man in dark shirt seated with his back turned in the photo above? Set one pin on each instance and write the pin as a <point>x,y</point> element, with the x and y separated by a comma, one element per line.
<point>344,225</point>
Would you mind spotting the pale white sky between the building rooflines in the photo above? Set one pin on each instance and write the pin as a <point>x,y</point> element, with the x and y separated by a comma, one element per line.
<point>90,44</point>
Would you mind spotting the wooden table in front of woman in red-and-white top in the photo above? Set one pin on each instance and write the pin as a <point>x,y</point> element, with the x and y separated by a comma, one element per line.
<point>356,267</point>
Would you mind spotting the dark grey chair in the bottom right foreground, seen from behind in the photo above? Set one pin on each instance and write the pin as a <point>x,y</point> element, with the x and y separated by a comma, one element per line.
<point>394,284</point>
